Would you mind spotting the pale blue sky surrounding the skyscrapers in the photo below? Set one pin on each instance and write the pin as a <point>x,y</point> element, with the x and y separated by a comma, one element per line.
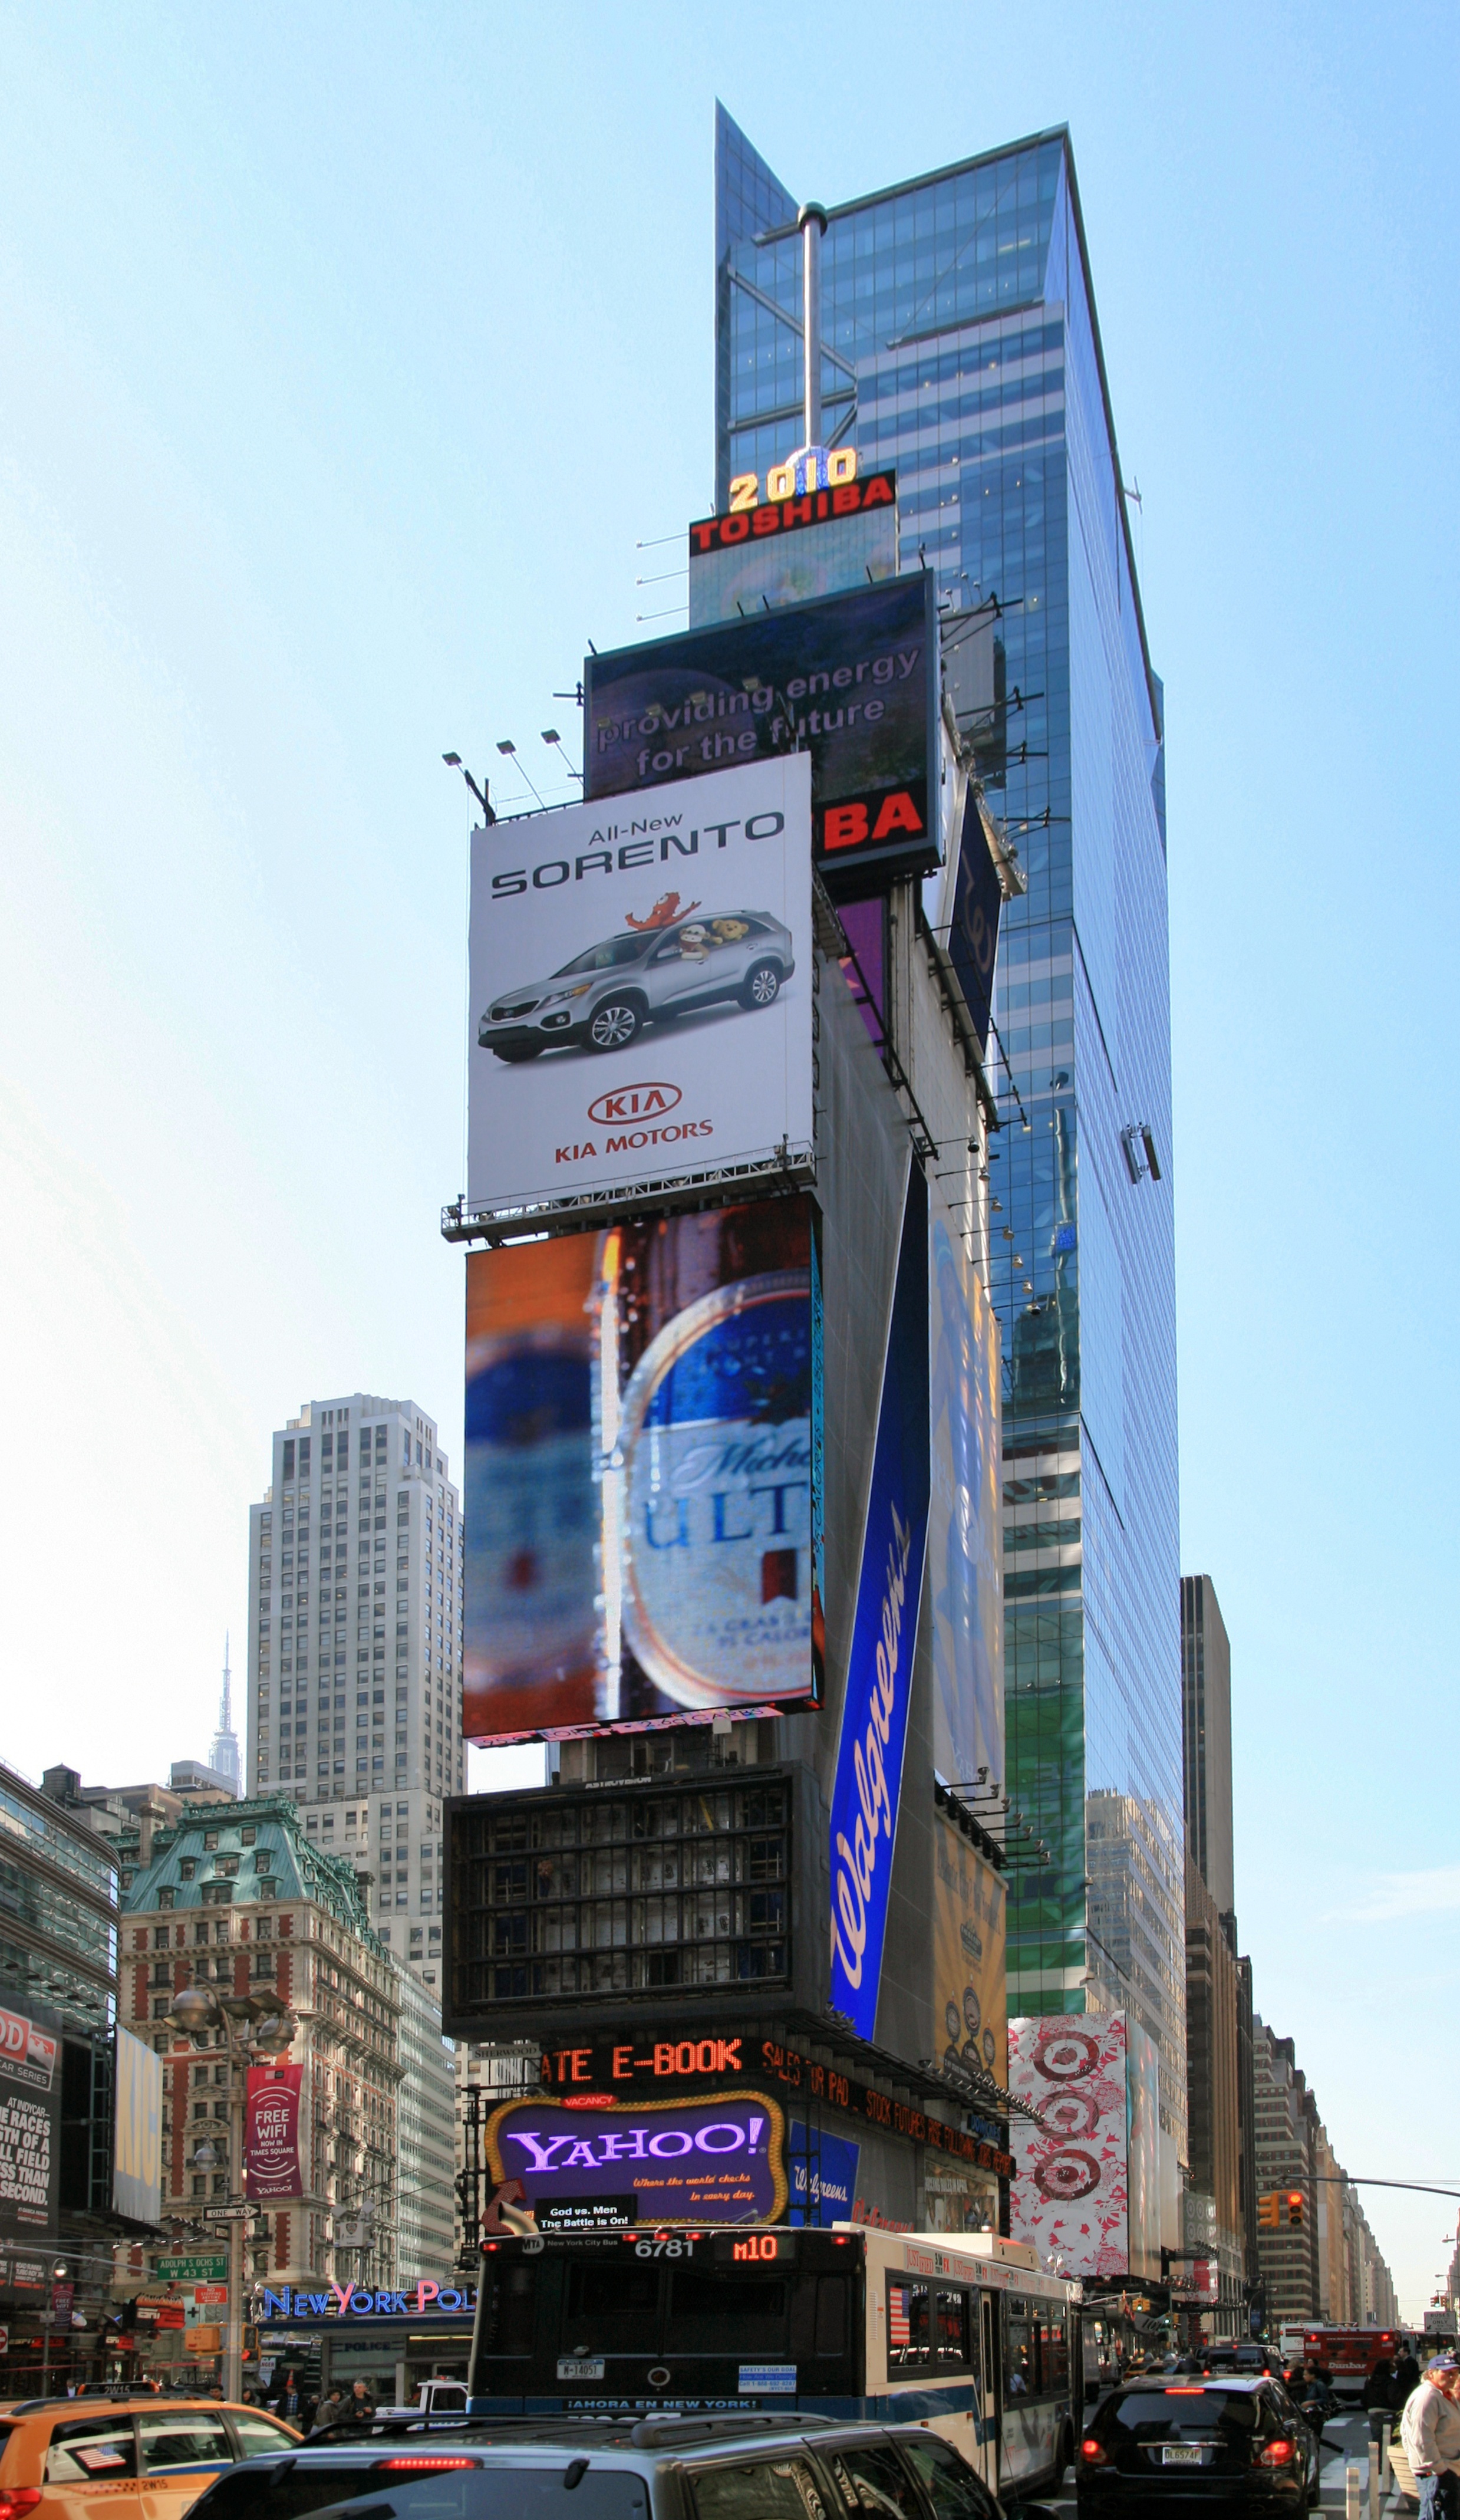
<point>351,354</point>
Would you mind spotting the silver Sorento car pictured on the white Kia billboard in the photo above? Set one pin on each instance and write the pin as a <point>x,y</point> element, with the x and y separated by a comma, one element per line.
<point>605,997</point>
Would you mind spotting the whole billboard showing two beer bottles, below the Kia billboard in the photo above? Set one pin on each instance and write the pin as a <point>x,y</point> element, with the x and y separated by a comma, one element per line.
<point>643,1475</point>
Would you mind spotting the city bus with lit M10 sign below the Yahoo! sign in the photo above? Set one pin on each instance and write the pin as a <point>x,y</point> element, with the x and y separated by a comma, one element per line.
<point>963,2335</point>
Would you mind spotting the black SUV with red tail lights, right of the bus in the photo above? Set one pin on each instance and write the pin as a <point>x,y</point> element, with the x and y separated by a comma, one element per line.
<point>1204,2441</point>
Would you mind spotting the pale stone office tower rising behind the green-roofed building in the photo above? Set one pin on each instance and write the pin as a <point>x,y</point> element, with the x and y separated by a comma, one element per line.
<point>356,1652</point>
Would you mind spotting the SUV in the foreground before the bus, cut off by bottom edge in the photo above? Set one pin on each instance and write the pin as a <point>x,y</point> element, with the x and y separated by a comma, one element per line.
<point>663,2468</point>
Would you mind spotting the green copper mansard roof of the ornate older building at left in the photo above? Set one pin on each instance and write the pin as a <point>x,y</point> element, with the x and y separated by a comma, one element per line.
<point>276,1853</point>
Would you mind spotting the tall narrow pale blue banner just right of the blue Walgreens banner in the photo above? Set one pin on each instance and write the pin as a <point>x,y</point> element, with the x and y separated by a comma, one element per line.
<point>965,1513</point>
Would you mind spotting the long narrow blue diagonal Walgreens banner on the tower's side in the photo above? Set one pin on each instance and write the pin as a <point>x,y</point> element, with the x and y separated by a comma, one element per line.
<point>865,1798</point>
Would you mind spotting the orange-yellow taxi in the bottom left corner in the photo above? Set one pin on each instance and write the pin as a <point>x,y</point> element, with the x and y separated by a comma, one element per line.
<point>125,2458</point>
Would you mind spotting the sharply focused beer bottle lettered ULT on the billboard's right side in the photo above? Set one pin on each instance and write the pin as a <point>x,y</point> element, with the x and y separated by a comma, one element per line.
<point>716,1458</point>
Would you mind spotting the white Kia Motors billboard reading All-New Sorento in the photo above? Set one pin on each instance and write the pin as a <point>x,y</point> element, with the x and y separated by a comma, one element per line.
<point>641,989</point>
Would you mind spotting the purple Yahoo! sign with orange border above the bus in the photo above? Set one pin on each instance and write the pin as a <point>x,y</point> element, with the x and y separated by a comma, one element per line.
<point>688,2161</point>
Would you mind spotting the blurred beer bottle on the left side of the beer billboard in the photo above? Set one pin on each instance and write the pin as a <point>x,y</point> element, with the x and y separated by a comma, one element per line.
<point>532,1501</point>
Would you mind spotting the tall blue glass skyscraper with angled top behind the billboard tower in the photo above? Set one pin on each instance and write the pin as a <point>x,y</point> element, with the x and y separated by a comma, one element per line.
<point>960,344</point>
